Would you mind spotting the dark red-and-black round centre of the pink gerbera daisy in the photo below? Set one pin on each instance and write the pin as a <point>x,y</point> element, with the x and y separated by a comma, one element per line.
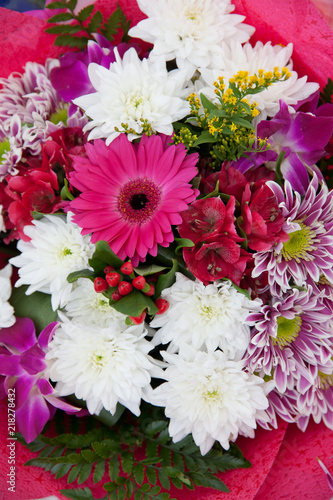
<point>139,200</point>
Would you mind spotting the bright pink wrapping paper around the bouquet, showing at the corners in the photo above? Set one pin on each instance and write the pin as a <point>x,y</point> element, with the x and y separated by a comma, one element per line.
<point>284,465</point>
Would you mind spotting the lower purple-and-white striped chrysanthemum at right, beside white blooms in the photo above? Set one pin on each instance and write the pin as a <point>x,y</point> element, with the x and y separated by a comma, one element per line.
<point>290,333</point>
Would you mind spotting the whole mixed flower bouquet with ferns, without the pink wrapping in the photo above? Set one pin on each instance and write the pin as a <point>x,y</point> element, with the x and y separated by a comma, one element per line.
<point>165,199</point>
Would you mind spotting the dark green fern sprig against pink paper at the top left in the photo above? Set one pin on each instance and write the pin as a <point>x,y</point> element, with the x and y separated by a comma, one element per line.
<point>86,22</point>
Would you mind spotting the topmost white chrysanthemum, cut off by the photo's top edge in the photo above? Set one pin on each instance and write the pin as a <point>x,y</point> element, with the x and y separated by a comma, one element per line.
<point>190,31</point>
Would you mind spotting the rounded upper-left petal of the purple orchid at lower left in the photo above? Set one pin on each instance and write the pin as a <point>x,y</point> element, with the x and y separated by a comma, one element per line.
<point>21,336</point>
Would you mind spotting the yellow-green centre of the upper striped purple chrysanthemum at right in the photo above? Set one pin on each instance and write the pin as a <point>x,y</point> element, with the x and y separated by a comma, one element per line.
<point>299,245</point>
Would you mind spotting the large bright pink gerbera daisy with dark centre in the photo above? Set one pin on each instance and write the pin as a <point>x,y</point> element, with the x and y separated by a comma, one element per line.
<point>131,194</point>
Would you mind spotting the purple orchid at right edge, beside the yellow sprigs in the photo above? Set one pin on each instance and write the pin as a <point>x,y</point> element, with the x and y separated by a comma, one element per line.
<point>303,137</point>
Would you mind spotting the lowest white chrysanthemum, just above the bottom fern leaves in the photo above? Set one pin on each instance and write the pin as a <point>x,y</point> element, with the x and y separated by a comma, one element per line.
<point>210,396</point>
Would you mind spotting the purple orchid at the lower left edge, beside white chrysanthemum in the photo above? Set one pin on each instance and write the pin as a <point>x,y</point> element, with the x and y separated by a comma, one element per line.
<point>23,369</point>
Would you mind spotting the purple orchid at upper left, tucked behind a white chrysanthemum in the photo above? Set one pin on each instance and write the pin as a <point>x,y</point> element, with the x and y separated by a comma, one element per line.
<point>71,78</point>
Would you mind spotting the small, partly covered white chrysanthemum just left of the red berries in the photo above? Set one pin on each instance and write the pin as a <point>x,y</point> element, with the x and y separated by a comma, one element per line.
<point>84,306</point>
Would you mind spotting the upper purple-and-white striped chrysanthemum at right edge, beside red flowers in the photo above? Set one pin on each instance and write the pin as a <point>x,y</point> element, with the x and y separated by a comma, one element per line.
<point>309,250</point>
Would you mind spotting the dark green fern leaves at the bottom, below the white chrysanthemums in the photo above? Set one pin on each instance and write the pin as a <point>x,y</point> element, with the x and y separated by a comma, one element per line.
<point>109,456</point>
